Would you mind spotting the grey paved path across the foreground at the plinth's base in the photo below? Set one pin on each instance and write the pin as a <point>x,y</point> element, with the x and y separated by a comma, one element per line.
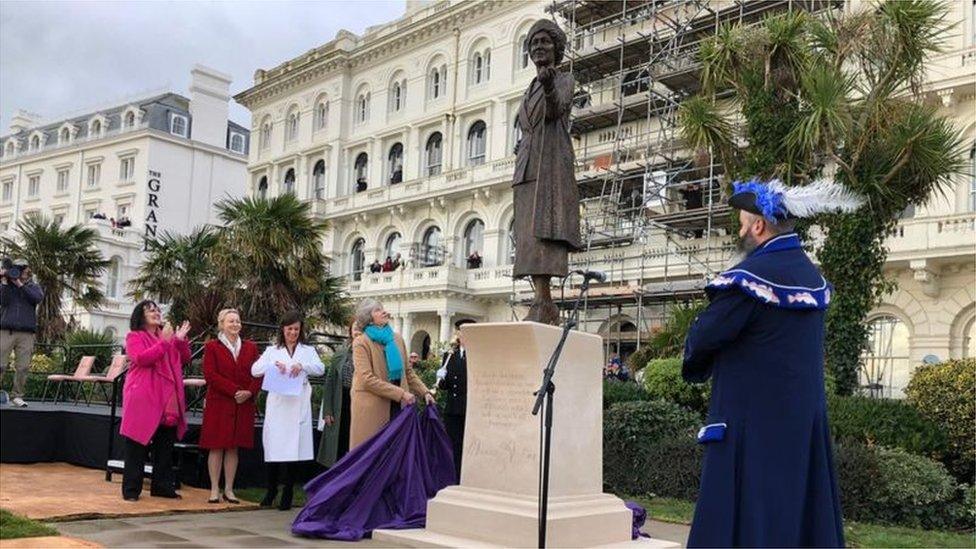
<point>264,528</point>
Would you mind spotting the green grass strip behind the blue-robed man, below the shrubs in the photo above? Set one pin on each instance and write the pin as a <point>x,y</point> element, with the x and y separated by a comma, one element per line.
<point>858,534</point>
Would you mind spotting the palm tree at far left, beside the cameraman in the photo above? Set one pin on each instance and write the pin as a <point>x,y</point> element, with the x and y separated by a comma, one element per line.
<point>66,263</point>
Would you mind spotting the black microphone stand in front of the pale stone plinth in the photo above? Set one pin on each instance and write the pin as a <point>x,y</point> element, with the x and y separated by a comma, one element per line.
<point>545,393</point>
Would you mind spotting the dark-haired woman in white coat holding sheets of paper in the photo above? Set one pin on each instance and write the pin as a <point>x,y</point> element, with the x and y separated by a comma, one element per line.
<point>287,432</point>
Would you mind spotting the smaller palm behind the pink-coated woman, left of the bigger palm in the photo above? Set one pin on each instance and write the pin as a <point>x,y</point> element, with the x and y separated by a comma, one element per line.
<point>179,270</point>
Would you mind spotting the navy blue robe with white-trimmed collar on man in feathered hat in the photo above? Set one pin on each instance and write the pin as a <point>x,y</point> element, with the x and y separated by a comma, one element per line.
<point>771,481</point>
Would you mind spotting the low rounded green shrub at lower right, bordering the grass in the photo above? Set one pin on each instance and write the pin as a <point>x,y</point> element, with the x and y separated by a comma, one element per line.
<point>892,486</point>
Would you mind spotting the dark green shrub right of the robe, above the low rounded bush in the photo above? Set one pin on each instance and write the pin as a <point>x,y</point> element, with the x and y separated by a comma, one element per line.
<point>885,422</point>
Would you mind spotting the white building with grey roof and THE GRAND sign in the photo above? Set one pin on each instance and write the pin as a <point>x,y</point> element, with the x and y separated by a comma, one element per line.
<point>131,171</point>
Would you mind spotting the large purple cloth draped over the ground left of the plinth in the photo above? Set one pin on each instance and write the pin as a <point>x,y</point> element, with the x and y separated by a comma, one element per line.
<point>383,483</point>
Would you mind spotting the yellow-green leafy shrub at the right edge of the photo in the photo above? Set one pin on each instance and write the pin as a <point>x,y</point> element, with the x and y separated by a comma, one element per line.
<point>946,394</point>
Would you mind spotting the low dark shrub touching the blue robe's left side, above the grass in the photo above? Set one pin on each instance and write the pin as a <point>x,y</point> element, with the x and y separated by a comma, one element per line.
<point>676,468</point>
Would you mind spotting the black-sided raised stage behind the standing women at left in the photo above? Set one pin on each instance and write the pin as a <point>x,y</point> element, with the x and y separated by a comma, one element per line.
<point>78,434</point>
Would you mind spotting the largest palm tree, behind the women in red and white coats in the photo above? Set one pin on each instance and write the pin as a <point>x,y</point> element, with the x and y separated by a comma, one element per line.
<point>272,250</point>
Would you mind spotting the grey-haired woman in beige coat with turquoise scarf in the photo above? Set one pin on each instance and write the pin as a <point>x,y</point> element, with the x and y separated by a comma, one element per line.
<point>376,395</point>
